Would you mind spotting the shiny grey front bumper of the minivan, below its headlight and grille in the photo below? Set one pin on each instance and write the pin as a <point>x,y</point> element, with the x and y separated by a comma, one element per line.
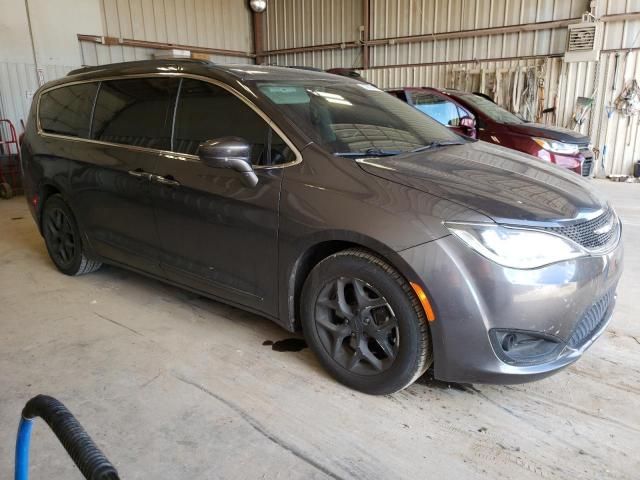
<point>473,295</point>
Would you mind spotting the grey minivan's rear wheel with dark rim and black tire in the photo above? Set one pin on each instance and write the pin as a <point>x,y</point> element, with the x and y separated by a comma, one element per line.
<point>63,238</point>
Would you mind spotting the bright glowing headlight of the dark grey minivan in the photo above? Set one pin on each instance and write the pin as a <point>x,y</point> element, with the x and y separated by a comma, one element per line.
<point>516,247</point>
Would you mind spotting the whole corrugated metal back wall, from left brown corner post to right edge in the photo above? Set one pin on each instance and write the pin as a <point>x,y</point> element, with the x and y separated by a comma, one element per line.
<point>295,23</point>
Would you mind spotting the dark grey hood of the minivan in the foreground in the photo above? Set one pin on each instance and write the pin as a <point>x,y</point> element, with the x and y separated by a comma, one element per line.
<point>505,185</point>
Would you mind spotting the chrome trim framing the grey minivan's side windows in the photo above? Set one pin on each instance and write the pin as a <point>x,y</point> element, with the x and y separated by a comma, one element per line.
<point>170,153</point>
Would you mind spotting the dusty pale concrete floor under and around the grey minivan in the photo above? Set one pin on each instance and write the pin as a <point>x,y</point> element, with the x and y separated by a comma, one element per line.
<point>174,386</point>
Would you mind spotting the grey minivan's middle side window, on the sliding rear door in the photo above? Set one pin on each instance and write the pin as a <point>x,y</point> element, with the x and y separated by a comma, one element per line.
<point>137,111</point>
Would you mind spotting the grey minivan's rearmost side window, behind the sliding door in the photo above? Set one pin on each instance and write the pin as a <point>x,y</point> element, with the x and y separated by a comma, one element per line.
<point>67,110</point>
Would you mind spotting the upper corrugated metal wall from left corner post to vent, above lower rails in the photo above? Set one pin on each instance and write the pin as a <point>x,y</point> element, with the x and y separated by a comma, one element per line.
<point>299,23</point>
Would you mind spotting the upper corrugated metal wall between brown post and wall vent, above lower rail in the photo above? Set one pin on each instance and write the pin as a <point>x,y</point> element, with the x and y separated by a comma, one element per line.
<point>424,17</point>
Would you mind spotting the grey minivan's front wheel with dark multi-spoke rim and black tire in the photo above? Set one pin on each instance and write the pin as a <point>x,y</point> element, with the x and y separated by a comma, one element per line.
<point>374,336</point>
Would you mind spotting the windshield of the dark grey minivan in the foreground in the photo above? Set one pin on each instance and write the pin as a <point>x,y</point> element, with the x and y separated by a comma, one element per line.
<point>356,119</point>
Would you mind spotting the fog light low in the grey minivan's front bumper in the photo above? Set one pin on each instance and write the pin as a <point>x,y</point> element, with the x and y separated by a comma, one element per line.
<point>518,347</point>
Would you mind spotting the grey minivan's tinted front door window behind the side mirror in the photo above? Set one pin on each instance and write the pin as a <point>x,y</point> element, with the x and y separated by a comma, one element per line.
<point>207,112</point>
